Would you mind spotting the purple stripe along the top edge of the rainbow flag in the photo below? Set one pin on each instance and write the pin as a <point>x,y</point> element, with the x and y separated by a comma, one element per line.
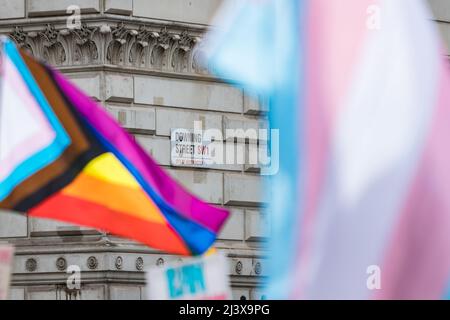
<point>176,196</point>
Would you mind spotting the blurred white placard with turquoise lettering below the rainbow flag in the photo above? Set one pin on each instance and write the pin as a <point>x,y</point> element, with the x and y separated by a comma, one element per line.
<point>204,278</point>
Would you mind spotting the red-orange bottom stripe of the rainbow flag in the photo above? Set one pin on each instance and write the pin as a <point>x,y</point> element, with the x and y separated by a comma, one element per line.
<point>73,210</point>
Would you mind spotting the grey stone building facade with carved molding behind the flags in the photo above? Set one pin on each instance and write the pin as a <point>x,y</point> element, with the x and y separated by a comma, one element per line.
<point>141,60</point>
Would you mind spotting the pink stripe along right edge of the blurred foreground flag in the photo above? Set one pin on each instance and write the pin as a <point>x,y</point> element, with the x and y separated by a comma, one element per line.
<point>417,263</point>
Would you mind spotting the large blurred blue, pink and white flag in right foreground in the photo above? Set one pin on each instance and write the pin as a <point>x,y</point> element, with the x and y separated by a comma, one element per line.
<point>361,205</point>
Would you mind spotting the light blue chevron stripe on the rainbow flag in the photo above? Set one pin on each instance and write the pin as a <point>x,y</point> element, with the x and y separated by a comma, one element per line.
<point>46,155</point>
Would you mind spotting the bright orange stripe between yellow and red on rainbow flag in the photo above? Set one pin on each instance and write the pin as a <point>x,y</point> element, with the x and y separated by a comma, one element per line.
<point>134,202</point>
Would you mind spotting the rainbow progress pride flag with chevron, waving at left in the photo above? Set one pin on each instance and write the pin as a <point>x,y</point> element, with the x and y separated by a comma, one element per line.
<point>63,157</point>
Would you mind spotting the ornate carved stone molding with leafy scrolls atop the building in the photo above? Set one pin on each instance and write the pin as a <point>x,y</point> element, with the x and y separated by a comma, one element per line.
<point>119,45</point>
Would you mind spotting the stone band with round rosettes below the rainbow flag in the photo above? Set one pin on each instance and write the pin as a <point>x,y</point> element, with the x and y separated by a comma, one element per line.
<point>52,267</point>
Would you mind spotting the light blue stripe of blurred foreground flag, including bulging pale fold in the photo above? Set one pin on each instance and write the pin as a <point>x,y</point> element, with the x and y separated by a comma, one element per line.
<point>262,49</point>
